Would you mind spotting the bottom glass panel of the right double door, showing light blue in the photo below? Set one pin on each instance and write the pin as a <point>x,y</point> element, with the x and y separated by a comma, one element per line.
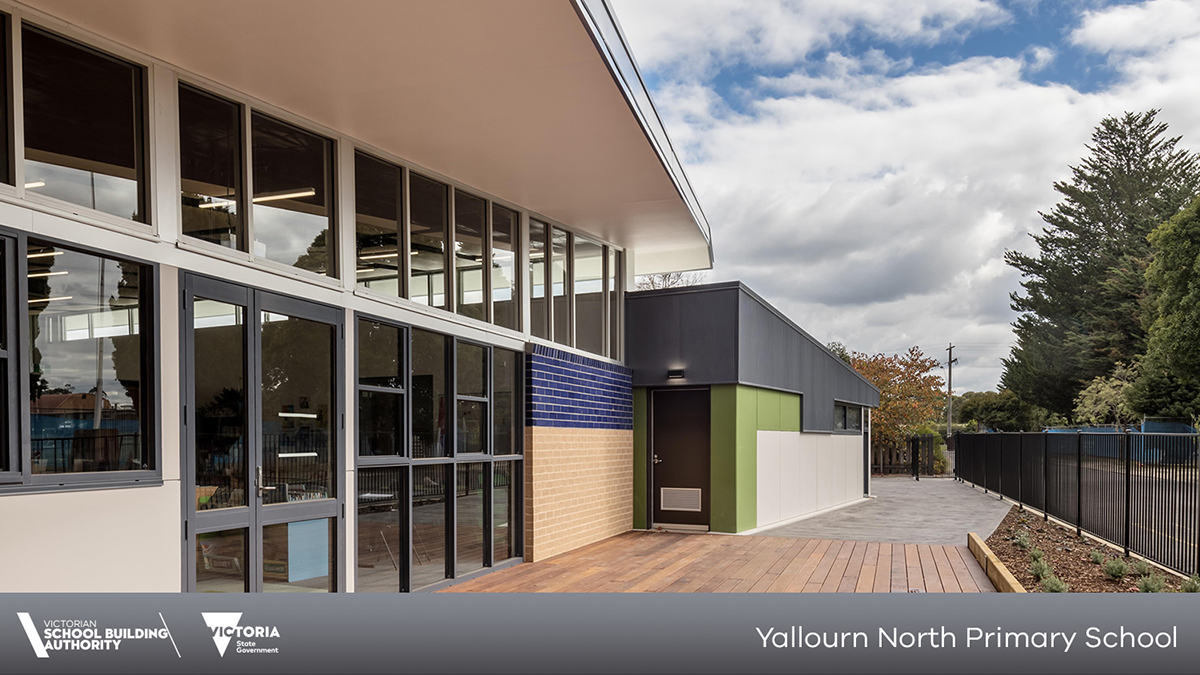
<point>298,558</point>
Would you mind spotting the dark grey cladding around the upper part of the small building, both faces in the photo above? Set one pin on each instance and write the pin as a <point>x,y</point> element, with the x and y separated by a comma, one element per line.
<point>727,333</point>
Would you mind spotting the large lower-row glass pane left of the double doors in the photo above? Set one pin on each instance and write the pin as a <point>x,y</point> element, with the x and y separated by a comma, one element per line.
<point>89,408</point>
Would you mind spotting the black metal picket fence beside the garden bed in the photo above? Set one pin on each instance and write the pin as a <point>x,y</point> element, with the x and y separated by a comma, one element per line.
<point>1141,492</point>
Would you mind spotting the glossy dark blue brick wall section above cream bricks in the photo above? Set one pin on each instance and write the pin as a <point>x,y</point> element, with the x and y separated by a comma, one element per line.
<point>566,390</point>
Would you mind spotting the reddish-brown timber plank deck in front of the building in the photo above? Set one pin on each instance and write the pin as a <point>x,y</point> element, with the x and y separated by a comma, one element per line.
<point>670,563</point>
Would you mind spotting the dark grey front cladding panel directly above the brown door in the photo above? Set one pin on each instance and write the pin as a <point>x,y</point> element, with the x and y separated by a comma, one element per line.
<point>694,328</point>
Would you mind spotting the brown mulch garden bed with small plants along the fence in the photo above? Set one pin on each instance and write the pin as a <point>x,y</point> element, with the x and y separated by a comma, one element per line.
<point>1069,555</point>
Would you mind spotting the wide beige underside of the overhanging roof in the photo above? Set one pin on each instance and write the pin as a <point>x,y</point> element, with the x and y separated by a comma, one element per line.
<point>511,98</point>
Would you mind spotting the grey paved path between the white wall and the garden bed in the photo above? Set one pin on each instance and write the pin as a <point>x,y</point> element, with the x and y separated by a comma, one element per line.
<point>933,511</point>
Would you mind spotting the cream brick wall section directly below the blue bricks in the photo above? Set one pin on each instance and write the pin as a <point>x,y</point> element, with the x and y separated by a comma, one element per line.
<point>579,488</point>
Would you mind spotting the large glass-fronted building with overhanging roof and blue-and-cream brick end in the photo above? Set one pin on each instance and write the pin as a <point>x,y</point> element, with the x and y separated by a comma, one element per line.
<point>321,297</point>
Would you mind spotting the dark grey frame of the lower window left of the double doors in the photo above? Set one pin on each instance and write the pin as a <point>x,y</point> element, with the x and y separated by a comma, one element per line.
<point>23,480</point>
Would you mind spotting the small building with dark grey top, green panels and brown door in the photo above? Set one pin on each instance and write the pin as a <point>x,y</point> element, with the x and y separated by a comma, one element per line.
<point>741,419</point>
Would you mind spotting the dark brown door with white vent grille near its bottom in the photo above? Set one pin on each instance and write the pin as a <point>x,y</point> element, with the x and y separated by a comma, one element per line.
<point>680,457</point>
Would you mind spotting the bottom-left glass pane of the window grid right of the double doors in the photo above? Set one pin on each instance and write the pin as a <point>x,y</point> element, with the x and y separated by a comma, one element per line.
<point>381,530</point>
